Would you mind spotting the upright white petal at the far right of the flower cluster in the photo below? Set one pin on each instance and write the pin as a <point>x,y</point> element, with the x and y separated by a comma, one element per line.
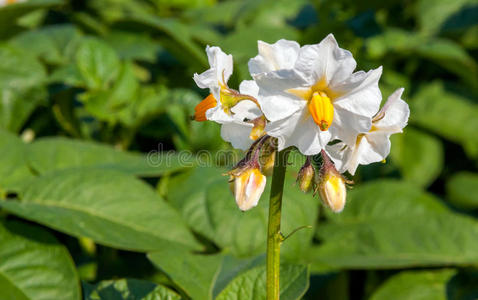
<point>395,114</point>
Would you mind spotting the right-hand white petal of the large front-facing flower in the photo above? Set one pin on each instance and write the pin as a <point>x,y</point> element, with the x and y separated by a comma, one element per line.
<point>360,93</point>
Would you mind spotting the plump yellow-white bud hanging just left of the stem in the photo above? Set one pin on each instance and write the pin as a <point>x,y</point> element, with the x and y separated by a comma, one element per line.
<point>248,188</point>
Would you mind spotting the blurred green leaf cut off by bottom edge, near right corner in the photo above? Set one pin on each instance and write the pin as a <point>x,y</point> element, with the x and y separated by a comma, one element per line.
<point>417,285</point>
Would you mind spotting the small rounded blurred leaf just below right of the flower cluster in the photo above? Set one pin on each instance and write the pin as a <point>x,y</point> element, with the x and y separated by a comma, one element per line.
<point>418,155</point>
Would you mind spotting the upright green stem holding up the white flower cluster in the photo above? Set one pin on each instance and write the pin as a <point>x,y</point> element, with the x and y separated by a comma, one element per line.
<point>274,236</point>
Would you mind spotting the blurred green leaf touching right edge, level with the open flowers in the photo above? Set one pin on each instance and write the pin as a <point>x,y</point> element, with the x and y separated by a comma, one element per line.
<point>445,114</point>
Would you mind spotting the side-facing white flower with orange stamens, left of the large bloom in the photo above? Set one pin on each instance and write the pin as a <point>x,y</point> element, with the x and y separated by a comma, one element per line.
<point>234,110</point>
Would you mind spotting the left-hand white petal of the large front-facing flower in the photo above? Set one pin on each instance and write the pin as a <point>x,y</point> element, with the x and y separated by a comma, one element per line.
<point>276,103</point>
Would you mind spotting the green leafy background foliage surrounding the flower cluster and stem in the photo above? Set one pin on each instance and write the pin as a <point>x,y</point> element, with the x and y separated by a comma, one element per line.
<point>93,95</point>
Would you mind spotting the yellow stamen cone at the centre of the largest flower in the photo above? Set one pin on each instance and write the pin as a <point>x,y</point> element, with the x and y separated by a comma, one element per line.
<point>321,109</point>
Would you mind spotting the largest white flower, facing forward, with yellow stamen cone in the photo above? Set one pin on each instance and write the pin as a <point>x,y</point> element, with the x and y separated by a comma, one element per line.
<point>311,96</point>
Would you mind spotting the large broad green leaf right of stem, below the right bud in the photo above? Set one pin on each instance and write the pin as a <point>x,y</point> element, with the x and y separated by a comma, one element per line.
<point>391,224</point>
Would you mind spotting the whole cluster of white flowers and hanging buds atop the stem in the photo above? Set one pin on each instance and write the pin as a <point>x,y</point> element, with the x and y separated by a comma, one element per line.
<point>306,97</point>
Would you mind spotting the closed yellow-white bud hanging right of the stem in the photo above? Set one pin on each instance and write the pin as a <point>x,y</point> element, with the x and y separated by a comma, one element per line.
<point>332,190</point>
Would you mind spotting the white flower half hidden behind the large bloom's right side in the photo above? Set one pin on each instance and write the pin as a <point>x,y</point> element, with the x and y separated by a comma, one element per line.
<point>373,145</point>
